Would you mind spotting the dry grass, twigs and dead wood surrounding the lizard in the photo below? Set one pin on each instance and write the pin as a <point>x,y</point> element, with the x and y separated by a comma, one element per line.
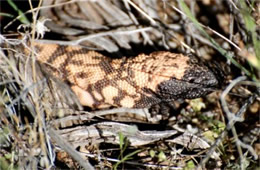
<point>42,124</point>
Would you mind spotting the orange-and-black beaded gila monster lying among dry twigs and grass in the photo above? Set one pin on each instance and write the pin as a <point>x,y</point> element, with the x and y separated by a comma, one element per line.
<point>134,82</point>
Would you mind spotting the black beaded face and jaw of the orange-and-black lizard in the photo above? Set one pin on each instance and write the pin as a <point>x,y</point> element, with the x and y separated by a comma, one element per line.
<point>198,80</point>
